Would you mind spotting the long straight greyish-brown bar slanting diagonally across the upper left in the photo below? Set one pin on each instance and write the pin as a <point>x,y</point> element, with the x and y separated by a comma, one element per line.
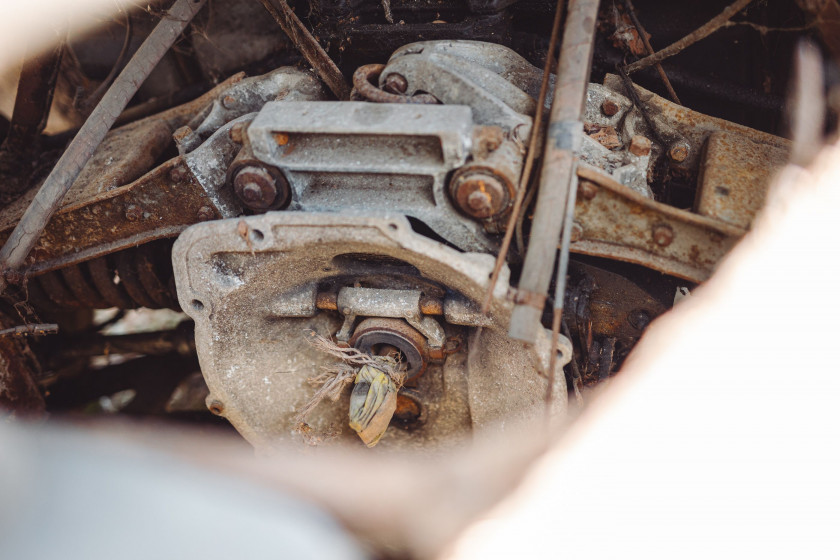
<point>81,149</point>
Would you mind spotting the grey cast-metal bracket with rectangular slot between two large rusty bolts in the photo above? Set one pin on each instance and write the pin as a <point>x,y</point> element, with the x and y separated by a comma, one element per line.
<point>353,156</point>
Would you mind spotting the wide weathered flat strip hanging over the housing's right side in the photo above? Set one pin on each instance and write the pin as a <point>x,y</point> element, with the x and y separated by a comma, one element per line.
<point>564,137</point>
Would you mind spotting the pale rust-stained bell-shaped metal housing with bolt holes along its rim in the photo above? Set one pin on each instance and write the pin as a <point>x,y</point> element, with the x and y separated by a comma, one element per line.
<point>252,286</point>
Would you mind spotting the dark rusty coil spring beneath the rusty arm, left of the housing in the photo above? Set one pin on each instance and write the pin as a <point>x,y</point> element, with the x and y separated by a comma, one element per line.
<point>138,277</point>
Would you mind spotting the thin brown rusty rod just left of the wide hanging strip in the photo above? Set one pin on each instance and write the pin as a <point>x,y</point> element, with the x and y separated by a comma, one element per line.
<point>525,178</point>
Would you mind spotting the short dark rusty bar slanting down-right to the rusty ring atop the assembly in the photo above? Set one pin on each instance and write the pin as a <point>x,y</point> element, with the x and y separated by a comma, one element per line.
<point>308,46</point>
